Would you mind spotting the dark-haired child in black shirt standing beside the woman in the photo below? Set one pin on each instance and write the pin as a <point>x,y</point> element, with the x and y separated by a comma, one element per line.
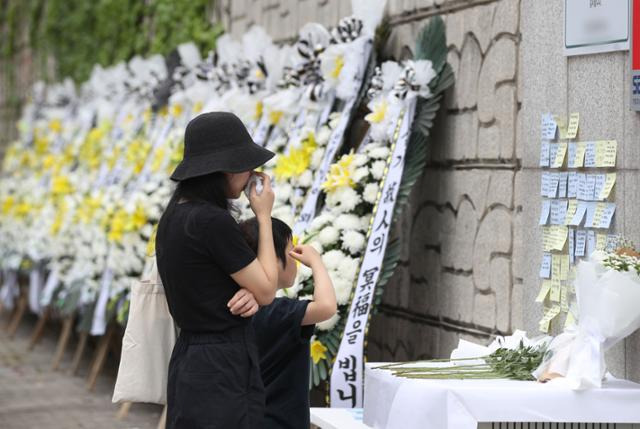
<point>283,329</point>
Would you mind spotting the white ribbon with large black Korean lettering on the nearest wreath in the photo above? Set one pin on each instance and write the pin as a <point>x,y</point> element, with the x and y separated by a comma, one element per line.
<point>347,375</point>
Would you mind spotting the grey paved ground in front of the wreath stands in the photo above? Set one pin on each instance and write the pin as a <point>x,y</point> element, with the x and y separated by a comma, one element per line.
<point>32,396</point>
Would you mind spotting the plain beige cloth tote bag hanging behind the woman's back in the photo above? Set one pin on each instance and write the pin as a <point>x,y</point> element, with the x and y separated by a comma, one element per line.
<point>148,342</point>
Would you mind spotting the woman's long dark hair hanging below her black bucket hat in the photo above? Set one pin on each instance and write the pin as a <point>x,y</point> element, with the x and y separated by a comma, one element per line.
<point>208,189</point>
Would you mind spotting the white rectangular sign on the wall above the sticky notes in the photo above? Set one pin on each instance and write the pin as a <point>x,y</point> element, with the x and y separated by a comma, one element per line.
<point>594,26</point>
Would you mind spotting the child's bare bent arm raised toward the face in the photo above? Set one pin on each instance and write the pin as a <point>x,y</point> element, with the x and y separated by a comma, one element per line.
<point>324,305</point>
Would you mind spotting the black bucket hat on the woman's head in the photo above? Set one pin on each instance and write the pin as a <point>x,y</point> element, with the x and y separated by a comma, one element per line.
<point>218,141</point>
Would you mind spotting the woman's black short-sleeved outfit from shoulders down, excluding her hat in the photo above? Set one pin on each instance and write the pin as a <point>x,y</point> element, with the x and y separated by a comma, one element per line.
<point>214,376</point>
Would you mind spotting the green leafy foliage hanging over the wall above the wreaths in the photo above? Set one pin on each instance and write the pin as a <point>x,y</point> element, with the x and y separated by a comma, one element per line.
<point>81,33</point>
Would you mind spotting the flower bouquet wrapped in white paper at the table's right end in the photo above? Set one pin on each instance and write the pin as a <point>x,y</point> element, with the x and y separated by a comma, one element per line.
<point>607,292</point>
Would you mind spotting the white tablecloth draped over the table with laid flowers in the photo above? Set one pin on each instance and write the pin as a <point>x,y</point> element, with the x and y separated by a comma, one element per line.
<point>393,402</point>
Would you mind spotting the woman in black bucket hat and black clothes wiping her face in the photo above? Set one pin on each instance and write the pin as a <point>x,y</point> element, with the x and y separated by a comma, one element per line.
<point>206,265</point>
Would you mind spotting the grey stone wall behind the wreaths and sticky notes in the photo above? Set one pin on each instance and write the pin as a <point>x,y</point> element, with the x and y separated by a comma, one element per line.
<point>472,243</point>
